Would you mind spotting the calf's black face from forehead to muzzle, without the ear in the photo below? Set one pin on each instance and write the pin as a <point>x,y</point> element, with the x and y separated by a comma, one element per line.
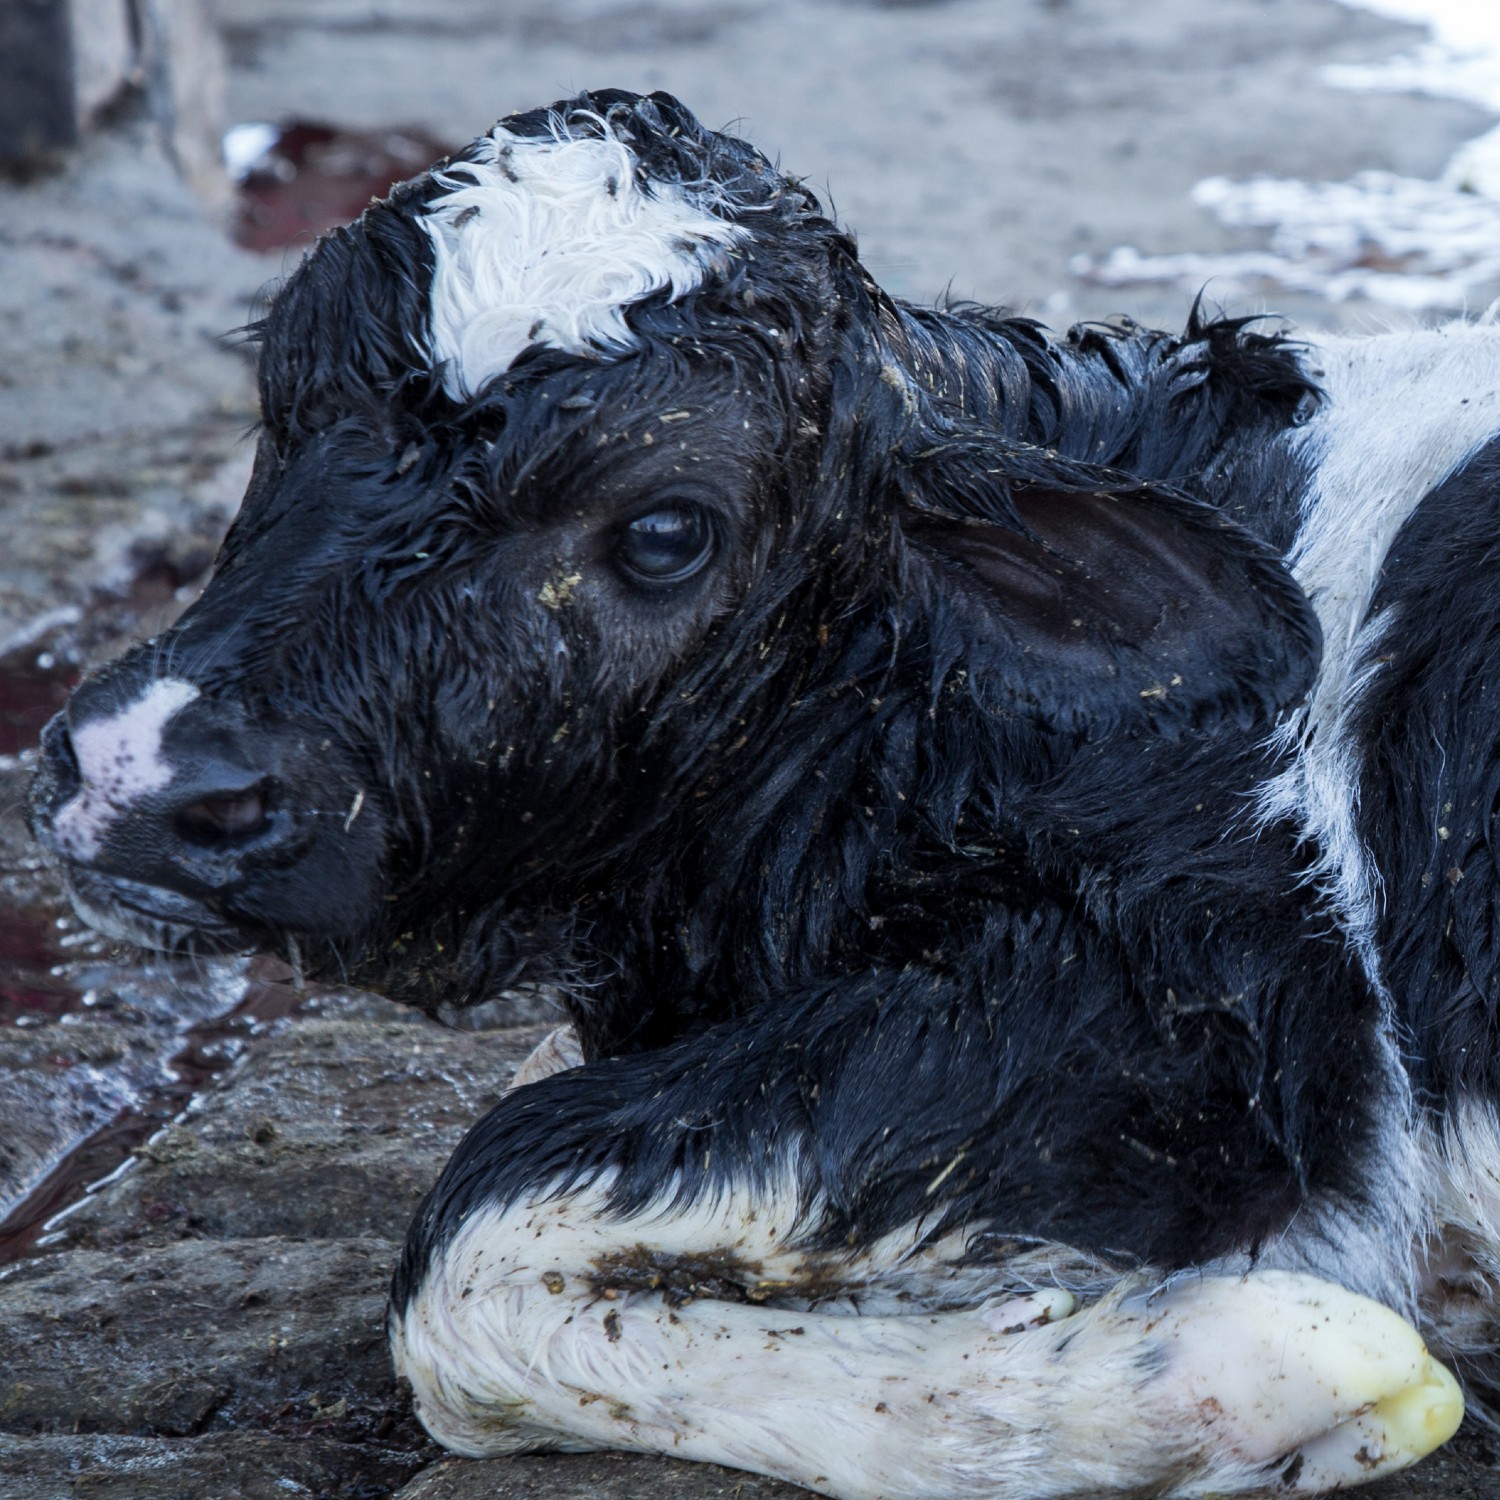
<point>526,452</point>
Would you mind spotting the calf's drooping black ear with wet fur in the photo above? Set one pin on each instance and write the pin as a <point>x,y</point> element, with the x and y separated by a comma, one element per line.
<point>1099,608</point>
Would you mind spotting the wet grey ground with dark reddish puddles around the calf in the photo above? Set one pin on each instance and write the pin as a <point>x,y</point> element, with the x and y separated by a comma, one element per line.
<point>205,1174</point>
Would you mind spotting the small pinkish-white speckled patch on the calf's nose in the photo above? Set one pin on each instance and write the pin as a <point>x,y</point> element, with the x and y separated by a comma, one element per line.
<point>119,760</point>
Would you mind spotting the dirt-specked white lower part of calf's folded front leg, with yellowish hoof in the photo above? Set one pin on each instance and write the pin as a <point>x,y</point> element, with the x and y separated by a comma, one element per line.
<point>1210,1385</point>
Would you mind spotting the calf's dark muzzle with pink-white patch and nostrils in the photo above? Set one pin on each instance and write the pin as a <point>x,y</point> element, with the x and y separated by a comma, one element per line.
<point>181,815</point>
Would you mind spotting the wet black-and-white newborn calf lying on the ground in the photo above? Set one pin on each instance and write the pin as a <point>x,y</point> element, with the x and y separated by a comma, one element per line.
<point>1031,952</point>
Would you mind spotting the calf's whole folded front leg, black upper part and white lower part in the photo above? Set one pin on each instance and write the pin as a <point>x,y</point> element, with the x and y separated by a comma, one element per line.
<point>635,1255</point>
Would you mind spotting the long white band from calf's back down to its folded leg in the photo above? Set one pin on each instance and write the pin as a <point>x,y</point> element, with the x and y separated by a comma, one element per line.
<point>1402,415</point>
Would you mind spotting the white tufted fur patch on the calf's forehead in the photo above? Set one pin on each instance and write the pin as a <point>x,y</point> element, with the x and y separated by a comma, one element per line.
<point>550,242</point>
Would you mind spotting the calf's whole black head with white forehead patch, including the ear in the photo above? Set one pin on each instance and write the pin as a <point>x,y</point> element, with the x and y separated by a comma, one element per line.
<point>590,461</point>
